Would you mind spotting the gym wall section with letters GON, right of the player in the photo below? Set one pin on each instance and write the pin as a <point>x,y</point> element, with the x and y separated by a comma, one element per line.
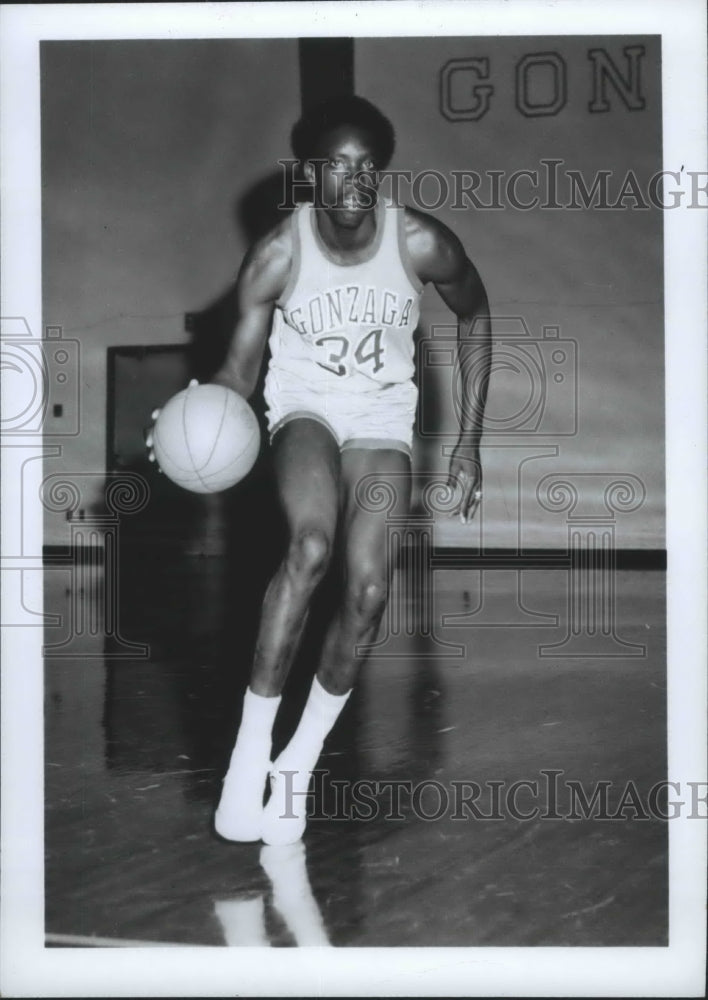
<point>595,275</point>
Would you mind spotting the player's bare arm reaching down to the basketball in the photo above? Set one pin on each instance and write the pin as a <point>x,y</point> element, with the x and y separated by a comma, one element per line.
<point>261,280</point>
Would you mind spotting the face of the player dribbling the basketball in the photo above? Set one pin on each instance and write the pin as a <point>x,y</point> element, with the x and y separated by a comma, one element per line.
<point>344,175</point>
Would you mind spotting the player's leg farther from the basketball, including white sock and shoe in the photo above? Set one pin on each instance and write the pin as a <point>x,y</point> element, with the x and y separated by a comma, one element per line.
<point>368,569</point>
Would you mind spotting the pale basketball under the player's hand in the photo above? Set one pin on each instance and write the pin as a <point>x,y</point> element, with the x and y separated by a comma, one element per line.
<point>206,438</point>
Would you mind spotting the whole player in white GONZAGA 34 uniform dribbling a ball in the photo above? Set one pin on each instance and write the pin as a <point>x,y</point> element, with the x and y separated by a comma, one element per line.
<point>334,290</point>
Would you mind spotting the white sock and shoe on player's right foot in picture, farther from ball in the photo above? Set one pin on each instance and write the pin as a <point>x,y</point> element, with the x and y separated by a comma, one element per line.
<point>285,814</point>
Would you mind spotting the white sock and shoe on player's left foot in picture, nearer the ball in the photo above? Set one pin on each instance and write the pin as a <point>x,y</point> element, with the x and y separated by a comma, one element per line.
<point>240,810</point>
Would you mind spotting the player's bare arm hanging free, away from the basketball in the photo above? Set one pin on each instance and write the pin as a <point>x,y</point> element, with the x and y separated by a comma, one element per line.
<point>440,258</point>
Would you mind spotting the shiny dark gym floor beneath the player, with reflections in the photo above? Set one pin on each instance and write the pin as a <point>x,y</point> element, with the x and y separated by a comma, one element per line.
<point>418,835</point>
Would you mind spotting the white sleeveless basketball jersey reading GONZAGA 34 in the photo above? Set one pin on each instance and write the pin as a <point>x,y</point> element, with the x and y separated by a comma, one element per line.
<point>350,324</point>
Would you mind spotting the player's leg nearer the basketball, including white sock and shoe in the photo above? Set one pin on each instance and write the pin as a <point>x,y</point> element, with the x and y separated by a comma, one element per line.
<point>307,467</point>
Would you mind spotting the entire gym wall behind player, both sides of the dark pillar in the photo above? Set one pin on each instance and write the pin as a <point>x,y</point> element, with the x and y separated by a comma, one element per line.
<point>151,149</point>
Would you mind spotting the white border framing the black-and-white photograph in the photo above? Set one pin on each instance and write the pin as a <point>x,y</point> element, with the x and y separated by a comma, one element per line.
<point>29,969</point>
